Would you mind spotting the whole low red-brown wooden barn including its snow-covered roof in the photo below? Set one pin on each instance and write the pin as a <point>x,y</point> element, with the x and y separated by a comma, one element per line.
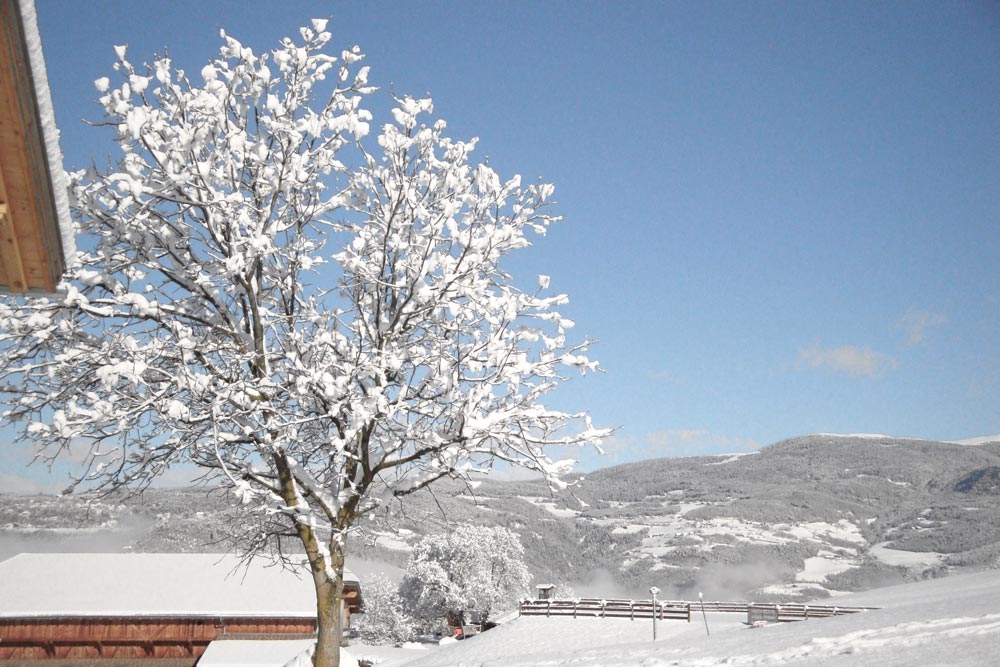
<point>154,608</point>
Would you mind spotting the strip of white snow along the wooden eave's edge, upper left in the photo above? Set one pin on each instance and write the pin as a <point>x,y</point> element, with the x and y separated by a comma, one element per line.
<point>50,132</point>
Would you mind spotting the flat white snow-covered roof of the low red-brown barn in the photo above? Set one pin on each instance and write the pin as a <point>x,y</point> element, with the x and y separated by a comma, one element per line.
<point>96,584</point>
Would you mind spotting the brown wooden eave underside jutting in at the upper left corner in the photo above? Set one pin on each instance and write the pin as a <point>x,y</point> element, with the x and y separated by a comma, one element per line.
<point>31,253</point>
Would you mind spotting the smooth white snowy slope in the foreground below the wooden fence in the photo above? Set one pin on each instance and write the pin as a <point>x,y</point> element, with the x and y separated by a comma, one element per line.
<point>951,621</point>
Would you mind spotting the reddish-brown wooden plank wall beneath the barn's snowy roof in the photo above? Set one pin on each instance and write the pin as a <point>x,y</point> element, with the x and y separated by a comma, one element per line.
<point>134,638</point>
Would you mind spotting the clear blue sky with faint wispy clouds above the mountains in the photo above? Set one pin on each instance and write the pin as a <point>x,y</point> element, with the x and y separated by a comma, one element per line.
<point>781,218</point>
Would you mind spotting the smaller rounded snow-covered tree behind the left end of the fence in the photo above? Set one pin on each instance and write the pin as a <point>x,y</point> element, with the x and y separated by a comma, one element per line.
<point>471,567</point>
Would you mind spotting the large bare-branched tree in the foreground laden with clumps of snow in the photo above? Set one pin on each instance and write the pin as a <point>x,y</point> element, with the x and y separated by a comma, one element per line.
<point>317,320</point>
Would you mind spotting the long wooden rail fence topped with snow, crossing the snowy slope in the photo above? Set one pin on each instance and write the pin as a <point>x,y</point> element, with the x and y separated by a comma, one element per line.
<point>679,609</point>
